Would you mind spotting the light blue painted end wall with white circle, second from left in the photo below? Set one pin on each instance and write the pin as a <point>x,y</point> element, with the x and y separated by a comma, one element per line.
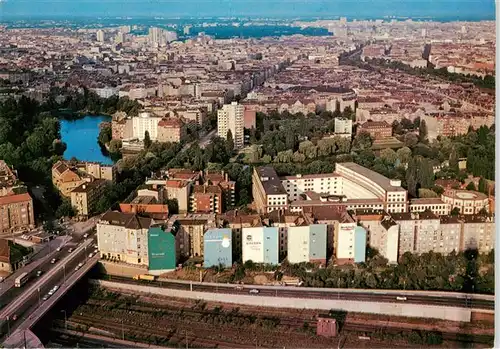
<point>218,248</point>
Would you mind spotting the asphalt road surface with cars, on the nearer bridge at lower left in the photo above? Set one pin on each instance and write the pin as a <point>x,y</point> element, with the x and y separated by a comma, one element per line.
<point>31,297</point>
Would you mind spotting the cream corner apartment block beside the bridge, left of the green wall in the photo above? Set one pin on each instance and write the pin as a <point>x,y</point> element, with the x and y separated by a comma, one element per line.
<point>124,237</point>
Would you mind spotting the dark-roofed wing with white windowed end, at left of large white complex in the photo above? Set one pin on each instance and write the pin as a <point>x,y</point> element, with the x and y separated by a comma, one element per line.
<point>267,190</point>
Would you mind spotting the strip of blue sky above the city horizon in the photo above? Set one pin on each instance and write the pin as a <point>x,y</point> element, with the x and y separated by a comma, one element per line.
<point>444,9</point>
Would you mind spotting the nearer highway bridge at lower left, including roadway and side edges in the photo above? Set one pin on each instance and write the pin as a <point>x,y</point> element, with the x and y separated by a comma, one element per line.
<point>24,311</point>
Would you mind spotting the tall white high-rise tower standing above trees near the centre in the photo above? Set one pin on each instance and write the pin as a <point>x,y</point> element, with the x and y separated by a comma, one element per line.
<point>231,118</point>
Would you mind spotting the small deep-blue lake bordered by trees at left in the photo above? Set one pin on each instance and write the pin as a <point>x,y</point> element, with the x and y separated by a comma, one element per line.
<point>81,138</point>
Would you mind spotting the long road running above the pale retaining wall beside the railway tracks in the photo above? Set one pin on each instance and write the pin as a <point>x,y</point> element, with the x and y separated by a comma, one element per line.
<point>301,293</point>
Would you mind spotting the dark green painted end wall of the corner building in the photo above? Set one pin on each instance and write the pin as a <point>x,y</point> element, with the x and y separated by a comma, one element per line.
<point>161,249</point>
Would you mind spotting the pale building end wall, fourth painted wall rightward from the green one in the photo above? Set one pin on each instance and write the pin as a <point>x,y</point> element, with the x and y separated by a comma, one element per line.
<point>307,244</point>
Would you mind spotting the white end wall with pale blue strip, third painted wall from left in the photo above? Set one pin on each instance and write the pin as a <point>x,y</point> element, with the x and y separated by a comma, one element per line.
<point>260,245</point>
